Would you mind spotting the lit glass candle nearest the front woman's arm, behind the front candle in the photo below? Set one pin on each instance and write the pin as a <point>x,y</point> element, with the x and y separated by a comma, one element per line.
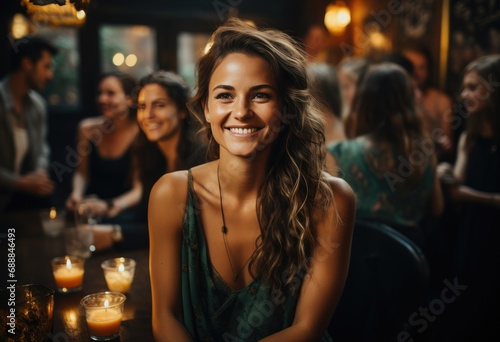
<point>119,273</point>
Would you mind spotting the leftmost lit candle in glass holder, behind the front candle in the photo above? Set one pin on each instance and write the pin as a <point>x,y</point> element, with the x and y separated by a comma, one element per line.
<point>68,273</point>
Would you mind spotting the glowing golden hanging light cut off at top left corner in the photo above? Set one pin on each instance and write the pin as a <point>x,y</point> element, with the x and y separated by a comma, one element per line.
<point>57,12</point>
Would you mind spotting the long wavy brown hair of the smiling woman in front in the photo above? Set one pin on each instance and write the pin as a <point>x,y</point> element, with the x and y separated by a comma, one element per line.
<point>294,187</point>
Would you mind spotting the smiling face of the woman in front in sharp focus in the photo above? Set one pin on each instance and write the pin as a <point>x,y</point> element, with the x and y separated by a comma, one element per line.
<point>243,105</point>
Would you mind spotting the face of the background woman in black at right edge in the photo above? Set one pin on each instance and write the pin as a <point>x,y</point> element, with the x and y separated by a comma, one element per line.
<point>474,94</point>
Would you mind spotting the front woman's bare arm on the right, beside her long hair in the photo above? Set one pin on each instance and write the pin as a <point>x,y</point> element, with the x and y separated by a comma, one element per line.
<point>323,285</point>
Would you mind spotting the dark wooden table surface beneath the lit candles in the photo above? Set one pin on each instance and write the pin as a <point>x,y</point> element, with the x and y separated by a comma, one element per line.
<point>34,251</point>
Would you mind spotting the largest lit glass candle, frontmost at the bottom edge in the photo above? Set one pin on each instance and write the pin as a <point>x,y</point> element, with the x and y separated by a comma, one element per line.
<point>103,313</point>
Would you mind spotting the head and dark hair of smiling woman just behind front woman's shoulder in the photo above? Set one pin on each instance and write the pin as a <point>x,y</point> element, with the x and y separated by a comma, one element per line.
<point>167,141</point>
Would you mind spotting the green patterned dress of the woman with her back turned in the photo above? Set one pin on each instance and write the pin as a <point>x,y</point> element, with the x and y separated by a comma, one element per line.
<point>364,166</point>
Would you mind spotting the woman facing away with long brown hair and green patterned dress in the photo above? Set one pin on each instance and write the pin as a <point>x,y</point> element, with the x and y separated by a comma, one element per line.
<point>389,163</point>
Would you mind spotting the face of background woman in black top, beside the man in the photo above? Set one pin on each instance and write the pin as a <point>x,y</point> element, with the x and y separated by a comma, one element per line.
<point>111,99</point>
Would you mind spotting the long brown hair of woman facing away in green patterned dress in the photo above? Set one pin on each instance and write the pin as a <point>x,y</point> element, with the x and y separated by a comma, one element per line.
<point>384,107</point>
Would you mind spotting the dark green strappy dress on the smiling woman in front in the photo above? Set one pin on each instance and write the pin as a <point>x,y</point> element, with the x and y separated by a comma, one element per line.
<point>212,311</point>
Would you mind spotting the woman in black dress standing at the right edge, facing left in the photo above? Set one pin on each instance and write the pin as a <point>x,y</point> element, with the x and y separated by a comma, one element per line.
<point>473,184</point>
